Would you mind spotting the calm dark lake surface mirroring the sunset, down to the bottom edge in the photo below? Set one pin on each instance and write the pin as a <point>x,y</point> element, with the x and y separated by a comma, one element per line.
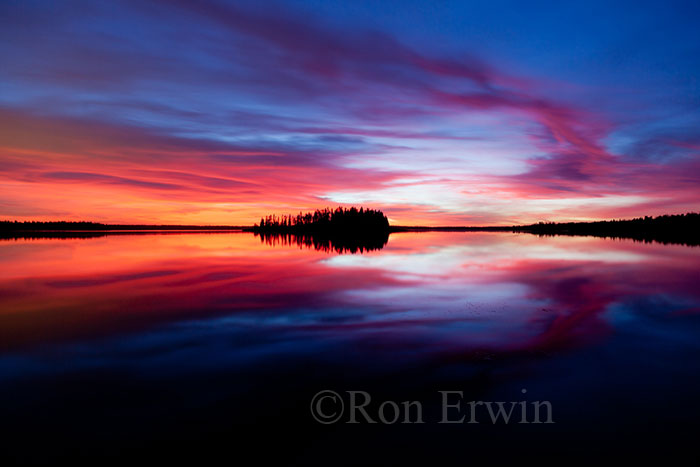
<point>202,344</point>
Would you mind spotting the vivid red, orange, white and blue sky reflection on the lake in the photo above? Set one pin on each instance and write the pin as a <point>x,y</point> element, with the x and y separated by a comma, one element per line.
<point>441,291</point>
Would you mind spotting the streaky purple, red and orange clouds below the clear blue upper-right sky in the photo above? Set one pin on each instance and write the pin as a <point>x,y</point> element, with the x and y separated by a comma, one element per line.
<point>231,109</point>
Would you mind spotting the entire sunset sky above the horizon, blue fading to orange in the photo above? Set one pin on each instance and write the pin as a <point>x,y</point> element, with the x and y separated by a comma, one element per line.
<point>437,113</point>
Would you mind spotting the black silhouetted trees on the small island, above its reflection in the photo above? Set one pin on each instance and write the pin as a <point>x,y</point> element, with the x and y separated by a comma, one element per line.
<point>339,221</point>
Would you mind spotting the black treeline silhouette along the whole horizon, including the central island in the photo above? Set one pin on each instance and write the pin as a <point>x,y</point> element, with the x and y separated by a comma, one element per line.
<point>354,228</point>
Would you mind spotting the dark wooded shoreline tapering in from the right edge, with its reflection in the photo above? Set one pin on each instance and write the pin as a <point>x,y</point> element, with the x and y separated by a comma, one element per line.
<point>678,228</point>
